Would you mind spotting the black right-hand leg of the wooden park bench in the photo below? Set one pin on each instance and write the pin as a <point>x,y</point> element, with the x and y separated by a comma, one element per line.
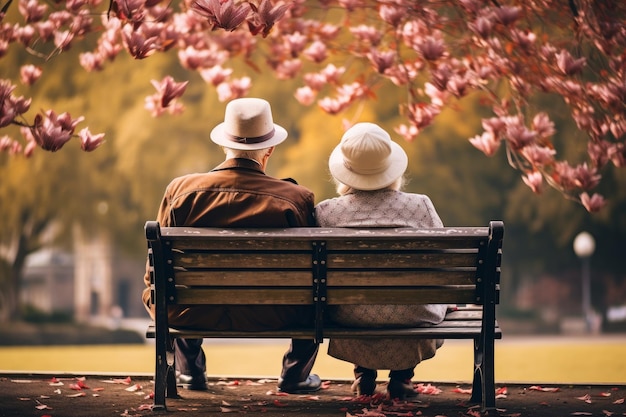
<point>483,386</point>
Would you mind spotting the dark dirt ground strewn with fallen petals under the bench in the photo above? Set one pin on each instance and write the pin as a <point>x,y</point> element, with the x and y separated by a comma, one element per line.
<point>94,396</point>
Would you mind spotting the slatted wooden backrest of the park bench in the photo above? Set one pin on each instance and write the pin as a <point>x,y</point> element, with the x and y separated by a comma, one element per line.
<point>326,266</point>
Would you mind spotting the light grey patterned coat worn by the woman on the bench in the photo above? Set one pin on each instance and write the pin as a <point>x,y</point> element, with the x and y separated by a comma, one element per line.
<point>382,208</point>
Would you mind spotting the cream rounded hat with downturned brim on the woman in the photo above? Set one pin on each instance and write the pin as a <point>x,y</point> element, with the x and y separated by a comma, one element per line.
<point>367,158</point>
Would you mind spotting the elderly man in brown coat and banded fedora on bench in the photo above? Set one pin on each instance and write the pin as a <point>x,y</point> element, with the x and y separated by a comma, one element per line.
<point>238,193</point>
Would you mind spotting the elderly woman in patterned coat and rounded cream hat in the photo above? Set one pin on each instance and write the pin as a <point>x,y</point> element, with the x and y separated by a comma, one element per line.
<point>368,168</point>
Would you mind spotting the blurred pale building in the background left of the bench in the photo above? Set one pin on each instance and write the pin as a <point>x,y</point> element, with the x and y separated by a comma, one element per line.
<point>93,284</point>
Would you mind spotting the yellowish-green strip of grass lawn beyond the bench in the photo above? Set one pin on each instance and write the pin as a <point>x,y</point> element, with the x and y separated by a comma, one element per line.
<point>593,360</point>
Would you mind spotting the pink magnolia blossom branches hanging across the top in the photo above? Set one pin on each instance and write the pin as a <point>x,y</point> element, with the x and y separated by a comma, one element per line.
<point>347,51</point>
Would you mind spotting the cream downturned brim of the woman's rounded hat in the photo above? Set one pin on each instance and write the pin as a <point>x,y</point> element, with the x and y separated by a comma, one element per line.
<point>397,167</point>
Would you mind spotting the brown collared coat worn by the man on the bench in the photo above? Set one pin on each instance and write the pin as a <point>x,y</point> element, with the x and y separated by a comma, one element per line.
<point>237,193</point>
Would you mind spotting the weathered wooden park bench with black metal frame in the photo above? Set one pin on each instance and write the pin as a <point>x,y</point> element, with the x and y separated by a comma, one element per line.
<point>330,266</point>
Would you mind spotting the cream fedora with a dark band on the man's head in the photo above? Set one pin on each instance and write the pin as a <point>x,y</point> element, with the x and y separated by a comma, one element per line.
<point>248,125</point>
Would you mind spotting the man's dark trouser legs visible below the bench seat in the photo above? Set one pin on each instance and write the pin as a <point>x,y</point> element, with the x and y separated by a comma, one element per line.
<point>297,361</point>
